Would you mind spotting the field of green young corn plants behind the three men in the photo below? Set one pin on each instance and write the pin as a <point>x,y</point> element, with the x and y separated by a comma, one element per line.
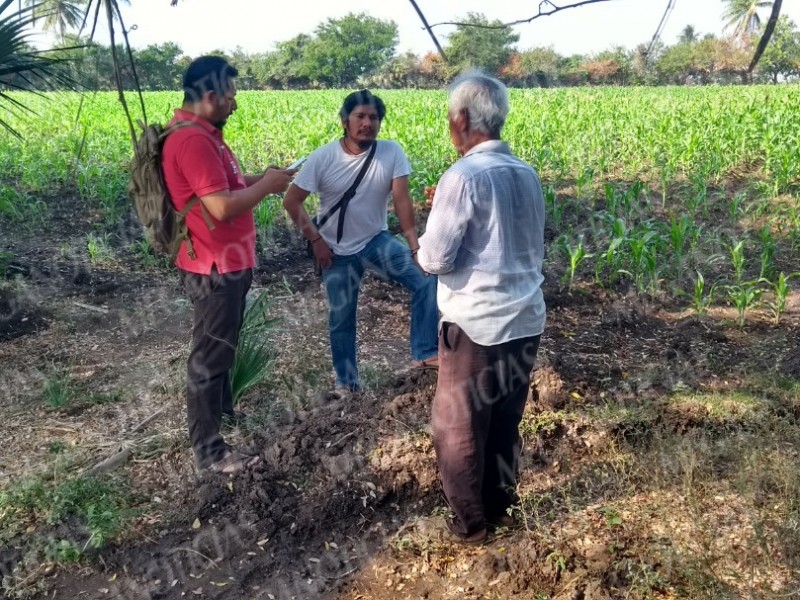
<point>689,193</point>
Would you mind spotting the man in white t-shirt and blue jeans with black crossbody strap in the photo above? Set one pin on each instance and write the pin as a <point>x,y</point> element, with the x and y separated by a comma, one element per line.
<point>348,244</point>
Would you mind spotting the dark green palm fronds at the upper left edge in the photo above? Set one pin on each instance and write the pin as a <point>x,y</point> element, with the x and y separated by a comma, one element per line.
<point>22,67</point>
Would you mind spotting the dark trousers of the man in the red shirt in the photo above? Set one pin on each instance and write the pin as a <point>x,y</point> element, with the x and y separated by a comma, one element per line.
<point>219,302</point>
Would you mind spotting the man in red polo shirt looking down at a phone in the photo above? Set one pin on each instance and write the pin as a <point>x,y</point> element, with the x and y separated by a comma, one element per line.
<point>216,266</point>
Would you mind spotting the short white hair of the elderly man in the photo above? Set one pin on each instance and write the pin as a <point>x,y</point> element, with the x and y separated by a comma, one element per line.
<point>484,98</point>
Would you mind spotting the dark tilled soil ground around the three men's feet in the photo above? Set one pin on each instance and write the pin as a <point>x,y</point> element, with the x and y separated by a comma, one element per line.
<point>336,508</point>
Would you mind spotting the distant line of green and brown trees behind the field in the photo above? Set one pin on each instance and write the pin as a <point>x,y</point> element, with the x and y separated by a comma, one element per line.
<point>360,50</point>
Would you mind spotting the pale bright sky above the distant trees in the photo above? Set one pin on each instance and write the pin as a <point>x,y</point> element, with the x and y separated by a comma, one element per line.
<point>199,26</point>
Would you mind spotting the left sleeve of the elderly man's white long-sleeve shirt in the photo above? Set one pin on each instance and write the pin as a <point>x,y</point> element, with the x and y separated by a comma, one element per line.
<point>447,224</point>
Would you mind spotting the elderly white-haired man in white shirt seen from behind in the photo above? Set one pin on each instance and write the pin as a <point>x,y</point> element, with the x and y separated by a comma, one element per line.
<point>485,240</point>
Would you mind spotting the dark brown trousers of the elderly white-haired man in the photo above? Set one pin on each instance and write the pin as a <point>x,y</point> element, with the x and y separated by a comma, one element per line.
<point>476,413</point>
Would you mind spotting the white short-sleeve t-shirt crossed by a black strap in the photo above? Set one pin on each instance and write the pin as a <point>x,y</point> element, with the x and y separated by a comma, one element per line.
<point>330,171</point>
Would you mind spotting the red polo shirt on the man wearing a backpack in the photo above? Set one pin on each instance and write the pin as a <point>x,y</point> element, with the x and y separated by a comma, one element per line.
<point>197,162</point>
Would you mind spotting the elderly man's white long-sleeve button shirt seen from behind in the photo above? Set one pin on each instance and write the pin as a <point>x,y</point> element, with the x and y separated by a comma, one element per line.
<point>485,240</point>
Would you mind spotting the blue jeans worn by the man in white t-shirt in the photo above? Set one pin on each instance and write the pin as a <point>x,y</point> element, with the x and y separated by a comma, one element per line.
<point>390,259</point>
